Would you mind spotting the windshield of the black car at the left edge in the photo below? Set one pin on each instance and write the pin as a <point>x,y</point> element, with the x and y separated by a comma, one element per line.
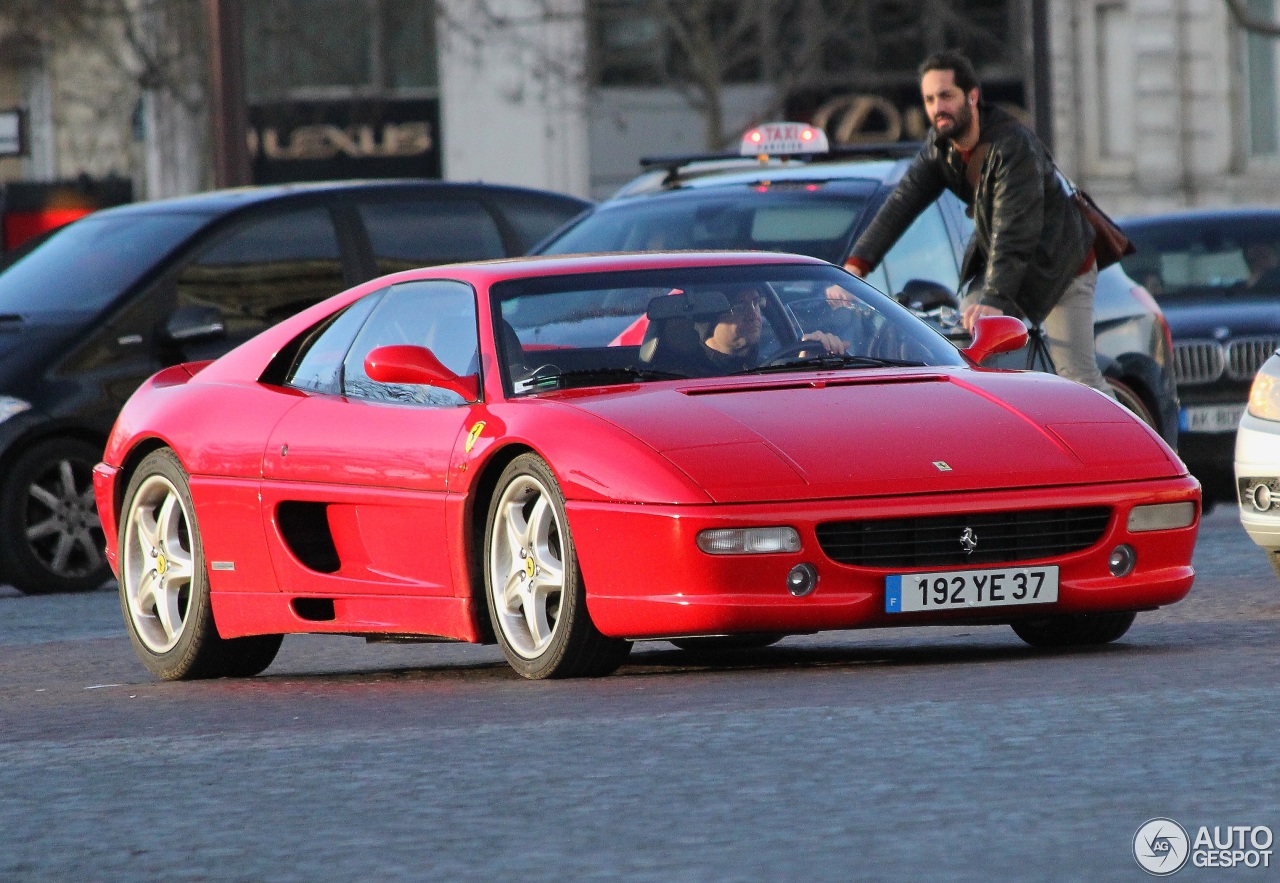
<point>90,263</point>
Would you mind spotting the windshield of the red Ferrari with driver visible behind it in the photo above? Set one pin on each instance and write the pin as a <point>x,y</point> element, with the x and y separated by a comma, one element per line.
<point>707,322</point>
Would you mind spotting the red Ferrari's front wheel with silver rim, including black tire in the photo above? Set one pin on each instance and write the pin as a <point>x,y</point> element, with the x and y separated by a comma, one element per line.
<point>540,619</point>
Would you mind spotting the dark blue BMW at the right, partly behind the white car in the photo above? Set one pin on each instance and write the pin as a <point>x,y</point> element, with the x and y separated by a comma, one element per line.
<point>1217,274</point>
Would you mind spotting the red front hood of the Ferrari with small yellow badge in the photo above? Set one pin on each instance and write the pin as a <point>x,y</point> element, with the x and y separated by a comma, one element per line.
<point>909,433</point>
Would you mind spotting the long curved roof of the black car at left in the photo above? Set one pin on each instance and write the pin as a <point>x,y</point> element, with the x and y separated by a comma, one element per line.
<point>226,202</point>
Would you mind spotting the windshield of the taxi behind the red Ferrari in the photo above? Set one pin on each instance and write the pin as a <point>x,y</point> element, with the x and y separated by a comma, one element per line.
<point>812,219</point>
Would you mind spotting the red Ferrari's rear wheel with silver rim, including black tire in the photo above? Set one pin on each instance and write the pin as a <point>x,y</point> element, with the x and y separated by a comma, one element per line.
<point>163,565</point>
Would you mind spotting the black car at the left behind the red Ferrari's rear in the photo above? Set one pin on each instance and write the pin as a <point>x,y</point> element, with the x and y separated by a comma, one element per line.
<point>103,304</point>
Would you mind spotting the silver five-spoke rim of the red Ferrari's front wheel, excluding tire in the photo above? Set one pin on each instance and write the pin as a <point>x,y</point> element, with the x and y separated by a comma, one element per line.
<point>527,562</point>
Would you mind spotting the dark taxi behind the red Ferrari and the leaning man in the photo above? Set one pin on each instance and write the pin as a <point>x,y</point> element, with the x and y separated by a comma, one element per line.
<point>819,205</point>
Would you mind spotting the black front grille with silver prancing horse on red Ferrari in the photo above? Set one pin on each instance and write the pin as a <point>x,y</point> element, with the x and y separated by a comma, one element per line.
<point>935,541</point>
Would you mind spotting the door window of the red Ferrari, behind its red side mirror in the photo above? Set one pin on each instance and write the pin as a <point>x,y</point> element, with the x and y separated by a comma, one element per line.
<point>436,314</point>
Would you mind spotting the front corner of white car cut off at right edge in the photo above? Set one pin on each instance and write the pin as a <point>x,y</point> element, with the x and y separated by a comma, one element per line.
<point>1258,461</point>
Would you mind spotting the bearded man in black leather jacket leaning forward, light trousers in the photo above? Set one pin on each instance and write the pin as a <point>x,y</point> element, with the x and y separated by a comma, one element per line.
<point>1032,250</point>
